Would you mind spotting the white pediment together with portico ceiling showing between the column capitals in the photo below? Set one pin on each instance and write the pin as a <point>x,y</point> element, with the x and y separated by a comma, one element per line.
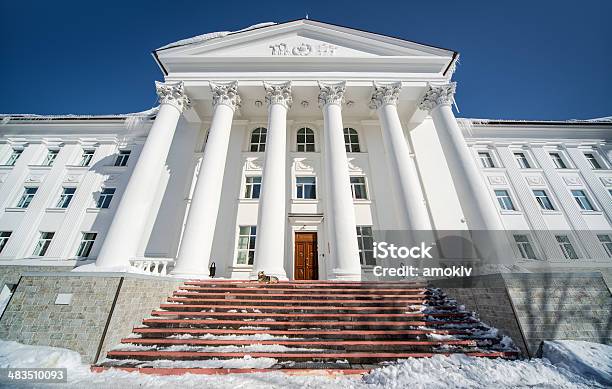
<point>303,51</point>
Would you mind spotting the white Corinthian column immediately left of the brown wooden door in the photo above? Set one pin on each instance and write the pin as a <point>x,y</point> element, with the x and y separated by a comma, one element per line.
<point>272,216</point>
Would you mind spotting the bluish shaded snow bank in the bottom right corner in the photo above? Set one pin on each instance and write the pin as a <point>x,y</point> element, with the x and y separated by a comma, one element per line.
<point>591,360</point>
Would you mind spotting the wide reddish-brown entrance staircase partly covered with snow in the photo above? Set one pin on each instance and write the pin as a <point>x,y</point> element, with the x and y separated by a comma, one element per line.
<point>221,326</point>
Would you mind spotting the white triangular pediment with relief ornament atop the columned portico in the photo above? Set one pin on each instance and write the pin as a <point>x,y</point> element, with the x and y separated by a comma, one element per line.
<point>298,42</point>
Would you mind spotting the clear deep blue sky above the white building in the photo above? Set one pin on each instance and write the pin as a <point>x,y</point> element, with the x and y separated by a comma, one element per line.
<point>519,59</point>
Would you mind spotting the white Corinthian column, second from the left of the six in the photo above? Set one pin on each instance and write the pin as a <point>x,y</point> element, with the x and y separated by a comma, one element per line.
<point>194,253</point>
